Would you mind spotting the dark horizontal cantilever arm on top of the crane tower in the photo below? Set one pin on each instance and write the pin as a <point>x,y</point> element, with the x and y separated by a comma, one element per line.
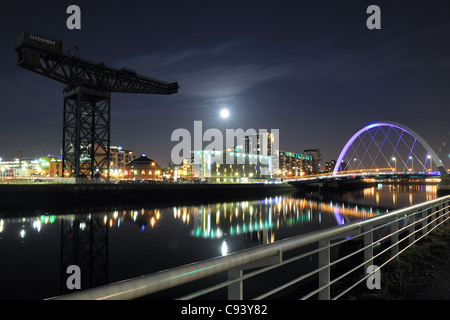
<point>73,71</point>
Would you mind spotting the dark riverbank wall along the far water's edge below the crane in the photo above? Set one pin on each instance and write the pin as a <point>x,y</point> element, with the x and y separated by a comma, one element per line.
<point>37,195</point>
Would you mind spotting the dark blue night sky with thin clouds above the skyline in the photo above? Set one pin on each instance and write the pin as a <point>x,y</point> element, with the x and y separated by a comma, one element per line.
<point>311,69</point>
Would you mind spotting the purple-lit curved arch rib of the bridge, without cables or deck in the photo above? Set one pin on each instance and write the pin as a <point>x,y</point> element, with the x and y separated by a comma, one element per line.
<point>401,127</point>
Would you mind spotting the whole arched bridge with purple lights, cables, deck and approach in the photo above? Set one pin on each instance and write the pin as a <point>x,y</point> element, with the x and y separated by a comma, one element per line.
<point>385,149</point>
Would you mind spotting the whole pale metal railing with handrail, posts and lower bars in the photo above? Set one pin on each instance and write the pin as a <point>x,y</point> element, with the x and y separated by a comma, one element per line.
<point>379,239</point>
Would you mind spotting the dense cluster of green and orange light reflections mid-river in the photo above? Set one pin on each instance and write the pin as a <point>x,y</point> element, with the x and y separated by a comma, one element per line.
<point>238,218</point>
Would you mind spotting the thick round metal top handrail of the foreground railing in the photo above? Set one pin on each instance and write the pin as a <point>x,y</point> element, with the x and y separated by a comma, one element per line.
<point>155,282</point>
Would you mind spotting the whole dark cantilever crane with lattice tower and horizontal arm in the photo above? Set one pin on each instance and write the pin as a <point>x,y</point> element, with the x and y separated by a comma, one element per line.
<point>87,99</point>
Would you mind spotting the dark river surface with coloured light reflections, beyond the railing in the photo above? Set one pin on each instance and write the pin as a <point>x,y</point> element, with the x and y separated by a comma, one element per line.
<point>119,244</point>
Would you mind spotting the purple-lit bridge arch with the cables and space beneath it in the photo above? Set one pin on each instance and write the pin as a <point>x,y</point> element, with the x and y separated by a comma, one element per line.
<point>387,146</point>
